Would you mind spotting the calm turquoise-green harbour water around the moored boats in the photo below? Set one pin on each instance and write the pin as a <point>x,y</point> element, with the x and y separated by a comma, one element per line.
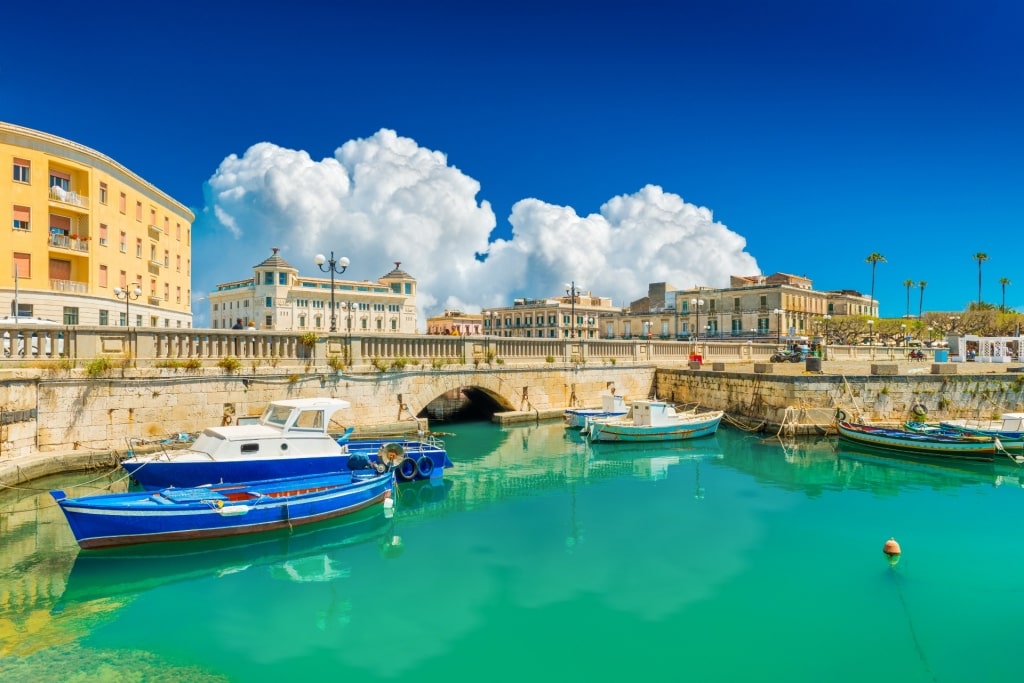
<point>733,559</point>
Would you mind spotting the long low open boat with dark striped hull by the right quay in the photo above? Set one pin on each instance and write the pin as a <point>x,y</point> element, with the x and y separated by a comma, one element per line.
<point>932,445</point>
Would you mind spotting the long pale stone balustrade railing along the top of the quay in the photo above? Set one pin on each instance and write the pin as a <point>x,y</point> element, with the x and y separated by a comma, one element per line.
<point>157,347</point>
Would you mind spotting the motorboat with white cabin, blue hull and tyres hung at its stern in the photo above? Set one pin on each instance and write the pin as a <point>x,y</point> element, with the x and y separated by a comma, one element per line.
<point>291,439</point>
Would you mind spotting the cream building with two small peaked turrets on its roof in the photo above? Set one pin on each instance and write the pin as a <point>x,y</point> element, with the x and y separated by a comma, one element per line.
<point>276,297</point>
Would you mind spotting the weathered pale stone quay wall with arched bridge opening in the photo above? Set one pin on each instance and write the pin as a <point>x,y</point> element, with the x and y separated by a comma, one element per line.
<point>57,418</point>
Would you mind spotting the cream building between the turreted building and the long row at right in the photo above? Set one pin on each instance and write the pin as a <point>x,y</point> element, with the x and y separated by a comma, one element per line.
<point>572,317</point>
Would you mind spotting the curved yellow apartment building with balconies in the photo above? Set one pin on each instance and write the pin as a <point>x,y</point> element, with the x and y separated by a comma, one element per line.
<point>89,241</point>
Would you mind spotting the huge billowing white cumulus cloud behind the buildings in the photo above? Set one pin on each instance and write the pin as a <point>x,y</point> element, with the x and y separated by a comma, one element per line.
<point>386,199</point>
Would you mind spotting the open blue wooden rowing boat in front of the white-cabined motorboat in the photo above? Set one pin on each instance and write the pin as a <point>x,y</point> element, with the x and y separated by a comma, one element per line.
<point>206,513</point>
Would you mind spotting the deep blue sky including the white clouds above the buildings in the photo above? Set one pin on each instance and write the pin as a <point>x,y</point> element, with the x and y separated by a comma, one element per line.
<point>501,149</point>
